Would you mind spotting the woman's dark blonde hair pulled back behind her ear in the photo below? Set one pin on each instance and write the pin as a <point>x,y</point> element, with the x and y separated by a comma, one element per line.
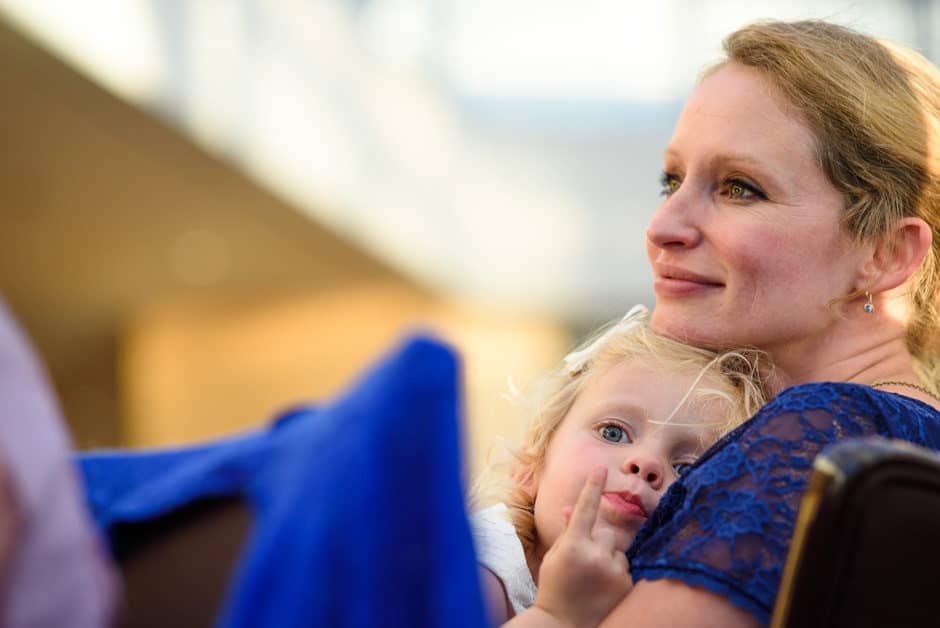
<point>873,108</point>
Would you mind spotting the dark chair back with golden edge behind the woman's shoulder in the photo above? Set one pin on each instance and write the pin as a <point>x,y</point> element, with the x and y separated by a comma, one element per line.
<point>866,549</point>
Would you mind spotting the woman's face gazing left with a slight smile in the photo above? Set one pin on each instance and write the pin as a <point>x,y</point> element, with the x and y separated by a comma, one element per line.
<point>747,247</point>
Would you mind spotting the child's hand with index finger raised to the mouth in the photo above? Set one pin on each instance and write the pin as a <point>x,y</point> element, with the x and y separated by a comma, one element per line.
<point>583,576</point>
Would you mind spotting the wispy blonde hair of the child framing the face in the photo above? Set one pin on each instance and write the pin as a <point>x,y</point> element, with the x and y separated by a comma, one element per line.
<point>730,378</point>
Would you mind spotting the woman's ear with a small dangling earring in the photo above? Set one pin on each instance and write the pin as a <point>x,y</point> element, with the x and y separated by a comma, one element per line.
<point>895,259</point>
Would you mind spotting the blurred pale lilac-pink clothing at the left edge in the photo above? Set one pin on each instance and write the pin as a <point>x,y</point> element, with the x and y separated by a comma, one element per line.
<point>60,574</point>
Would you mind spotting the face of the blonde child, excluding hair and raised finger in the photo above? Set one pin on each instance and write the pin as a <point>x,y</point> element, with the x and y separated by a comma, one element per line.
<point>609,424</point>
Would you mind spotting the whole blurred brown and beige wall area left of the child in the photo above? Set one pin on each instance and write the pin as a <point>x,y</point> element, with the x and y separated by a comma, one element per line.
<point>174,299</point>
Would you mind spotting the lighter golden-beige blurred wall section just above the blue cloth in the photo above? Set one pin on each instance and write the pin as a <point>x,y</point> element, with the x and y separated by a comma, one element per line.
<point>193,371</point>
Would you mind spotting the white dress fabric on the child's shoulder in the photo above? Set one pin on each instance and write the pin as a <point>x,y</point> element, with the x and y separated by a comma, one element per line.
<point>500,550</point>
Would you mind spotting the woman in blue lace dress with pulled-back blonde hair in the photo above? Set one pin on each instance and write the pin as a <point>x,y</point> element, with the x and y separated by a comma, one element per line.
<point>802,201</point>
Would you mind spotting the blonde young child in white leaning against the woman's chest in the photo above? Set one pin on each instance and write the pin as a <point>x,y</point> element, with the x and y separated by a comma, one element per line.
<point>621,420</point>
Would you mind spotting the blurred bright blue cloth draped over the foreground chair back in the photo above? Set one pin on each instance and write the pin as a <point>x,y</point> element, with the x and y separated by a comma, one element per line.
<point>358,507</point>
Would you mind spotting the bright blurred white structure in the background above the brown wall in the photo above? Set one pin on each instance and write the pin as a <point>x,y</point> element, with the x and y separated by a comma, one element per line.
<point>507,150</point>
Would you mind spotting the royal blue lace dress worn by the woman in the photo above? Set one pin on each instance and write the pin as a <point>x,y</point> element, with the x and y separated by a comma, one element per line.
<point>726,525</point>
